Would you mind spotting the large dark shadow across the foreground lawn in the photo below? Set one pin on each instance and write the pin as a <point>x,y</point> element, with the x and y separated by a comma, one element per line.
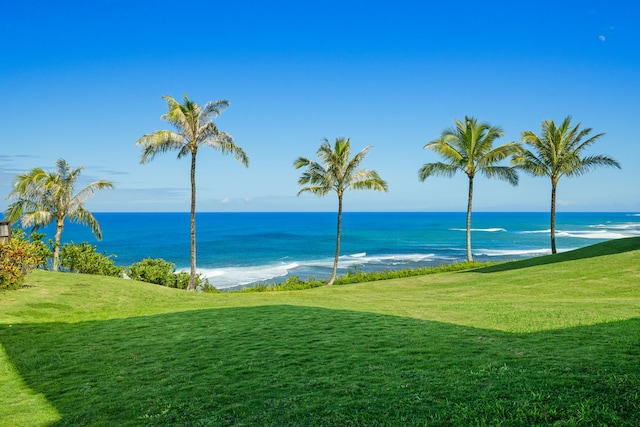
<point>287,365</point>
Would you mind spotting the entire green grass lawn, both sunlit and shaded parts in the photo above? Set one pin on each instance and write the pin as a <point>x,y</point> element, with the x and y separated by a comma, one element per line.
<point>547,341</point>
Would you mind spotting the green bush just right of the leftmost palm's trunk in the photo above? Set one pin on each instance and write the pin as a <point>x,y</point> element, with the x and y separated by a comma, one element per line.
<point>83,258</point>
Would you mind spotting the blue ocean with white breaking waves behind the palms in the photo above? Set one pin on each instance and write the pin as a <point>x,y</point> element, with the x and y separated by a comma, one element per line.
<point>242,249</point>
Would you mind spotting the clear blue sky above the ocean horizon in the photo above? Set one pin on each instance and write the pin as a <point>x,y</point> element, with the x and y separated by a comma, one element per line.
<point>83,80</point>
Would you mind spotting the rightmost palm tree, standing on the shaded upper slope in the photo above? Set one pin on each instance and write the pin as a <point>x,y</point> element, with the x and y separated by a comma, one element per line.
<point>557,152</point>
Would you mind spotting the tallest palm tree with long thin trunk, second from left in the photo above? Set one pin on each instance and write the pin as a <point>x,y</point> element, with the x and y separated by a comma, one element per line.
<point>195,128</point>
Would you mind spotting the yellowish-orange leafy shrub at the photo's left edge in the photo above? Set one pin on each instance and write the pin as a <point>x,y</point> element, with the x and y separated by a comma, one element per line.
<point>17,258</point>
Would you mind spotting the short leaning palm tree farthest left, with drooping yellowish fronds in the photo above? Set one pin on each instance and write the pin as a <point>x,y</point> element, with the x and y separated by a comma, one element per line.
<point>42,197</point>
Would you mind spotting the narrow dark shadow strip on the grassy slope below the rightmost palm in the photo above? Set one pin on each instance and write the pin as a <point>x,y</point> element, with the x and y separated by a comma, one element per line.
<point>610,247</point>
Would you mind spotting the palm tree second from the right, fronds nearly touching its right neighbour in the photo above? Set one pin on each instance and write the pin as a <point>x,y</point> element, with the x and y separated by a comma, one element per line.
<point>468,147</point>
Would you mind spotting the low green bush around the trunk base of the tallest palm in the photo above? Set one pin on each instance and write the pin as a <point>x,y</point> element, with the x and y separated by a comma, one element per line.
<point>161,272</point>
